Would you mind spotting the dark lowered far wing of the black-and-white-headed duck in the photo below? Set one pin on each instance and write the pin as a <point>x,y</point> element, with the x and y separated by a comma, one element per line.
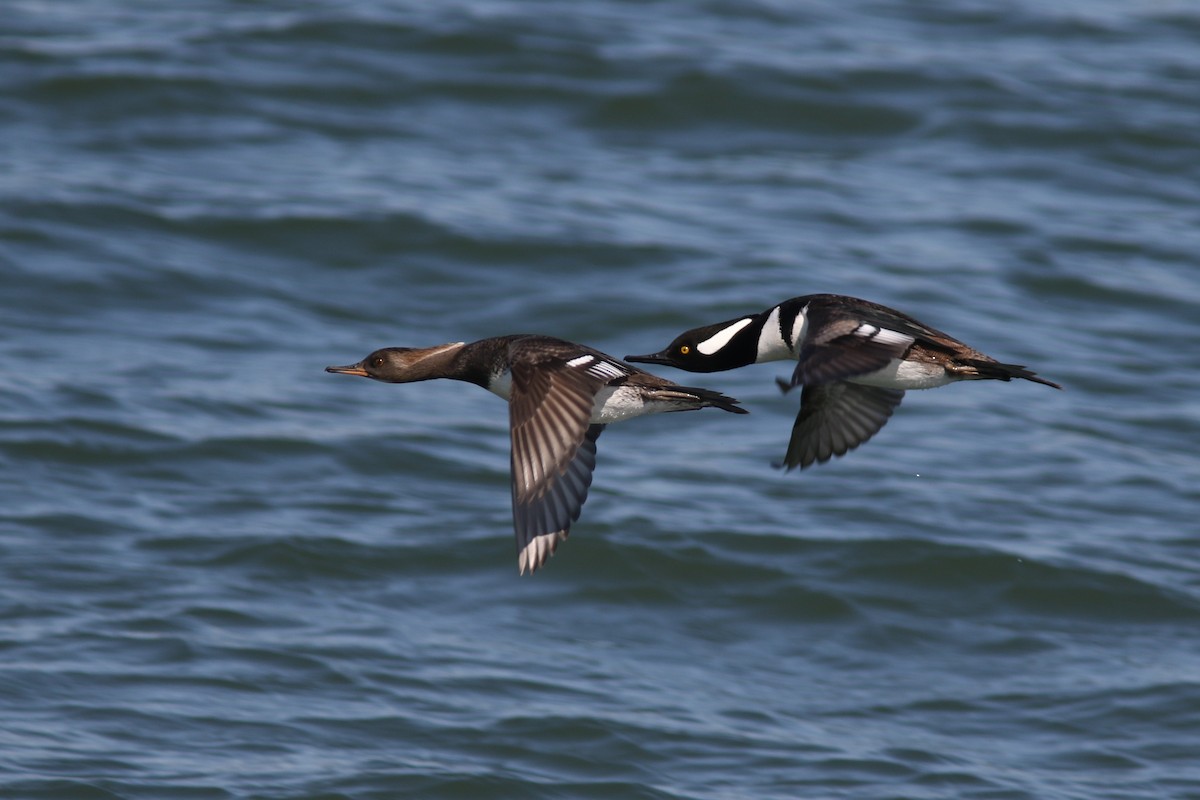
<point>837,418</point>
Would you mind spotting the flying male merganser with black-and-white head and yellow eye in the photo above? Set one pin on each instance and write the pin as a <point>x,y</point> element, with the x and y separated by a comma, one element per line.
<point>856,360</point>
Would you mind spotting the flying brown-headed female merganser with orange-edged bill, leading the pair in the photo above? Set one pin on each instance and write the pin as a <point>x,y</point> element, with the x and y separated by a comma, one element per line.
<point>561,398</point>
